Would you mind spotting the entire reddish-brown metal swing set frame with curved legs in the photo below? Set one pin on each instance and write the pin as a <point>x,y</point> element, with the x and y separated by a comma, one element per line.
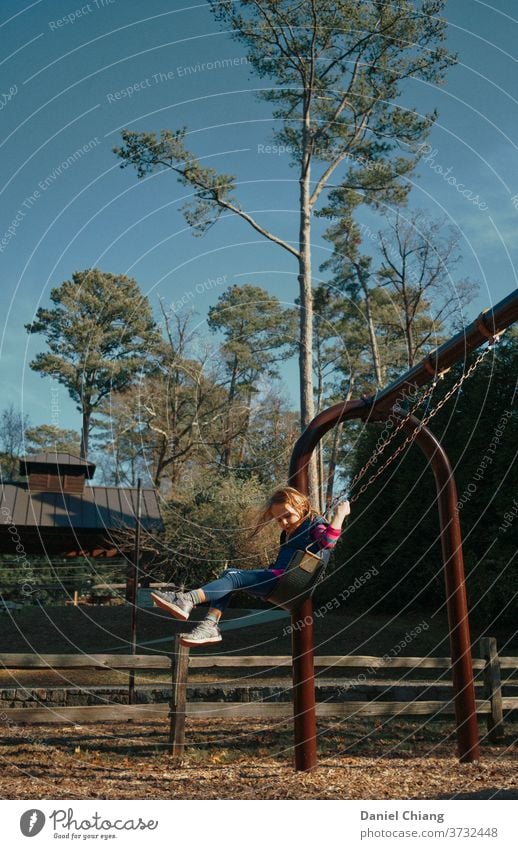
<point>485,329</point>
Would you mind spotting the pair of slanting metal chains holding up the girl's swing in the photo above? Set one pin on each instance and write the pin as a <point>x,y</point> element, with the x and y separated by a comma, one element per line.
<point>412,436</point>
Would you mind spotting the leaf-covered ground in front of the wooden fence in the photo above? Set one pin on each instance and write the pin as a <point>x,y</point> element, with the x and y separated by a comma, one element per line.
<point>360,759</point>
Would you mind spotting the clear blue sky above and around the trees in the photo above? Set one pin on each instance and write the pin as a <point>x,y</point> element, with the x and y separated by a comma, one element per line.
<point>74,74</point>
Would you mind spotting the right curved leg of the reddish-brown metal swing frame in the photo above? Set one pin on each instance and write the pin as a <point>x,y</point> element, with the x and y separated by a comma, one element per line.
<point>456,600</point>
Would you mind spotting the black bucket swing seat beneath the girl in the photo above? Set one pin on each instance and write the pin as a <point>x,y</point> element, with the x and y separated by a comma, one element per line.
<point>298,582</point>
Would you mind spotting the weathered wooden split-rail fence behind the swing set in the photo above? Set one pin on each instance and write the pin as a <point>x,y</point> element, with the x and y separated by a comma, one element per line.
<point>489,666</point>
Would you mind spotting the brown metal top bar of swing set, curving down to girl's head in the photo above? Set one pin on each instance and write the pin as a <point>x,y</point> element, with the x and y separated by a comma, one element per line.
<point>486,327</point>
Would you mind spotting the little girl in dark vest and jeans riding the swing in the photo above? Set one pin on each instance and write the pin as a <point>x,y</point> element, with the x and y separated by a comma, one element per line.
<point>301,528</point>
